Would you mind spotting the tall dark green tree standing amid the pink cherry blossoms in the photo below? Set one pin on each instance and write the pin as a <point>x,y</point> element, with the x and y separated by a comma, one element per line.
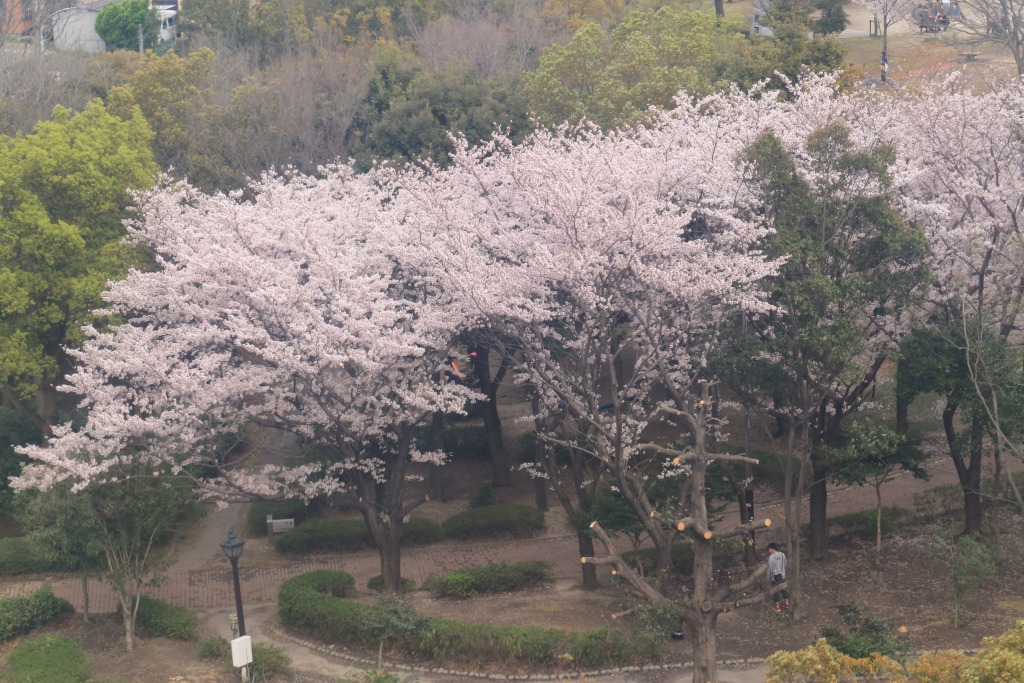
<point>851,265</point>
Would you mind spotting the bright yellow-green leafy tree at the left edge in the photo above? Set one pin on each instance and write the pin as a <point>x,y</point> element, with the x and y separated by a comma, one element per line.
<point>64,193</point>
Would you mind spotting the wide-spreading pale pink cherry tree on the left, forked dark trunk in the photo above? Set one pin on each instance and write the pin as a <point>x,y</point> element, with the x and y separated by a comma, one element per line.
<point>305,309</point>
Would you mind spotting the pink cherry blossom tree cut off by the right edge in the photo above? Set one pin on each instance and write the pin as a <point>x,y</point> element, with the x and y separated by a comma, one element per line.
<point>968,193</point>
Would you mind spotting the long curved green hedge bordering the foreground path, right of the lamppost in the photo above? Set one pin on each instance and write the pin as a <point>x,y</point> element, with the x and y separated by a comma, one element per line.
<point>302,606</point>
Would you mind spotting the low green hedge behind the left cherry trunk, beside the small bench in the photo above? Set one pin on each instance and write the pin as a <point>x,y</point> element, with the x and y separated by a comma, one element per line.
<point>351,535</point>
